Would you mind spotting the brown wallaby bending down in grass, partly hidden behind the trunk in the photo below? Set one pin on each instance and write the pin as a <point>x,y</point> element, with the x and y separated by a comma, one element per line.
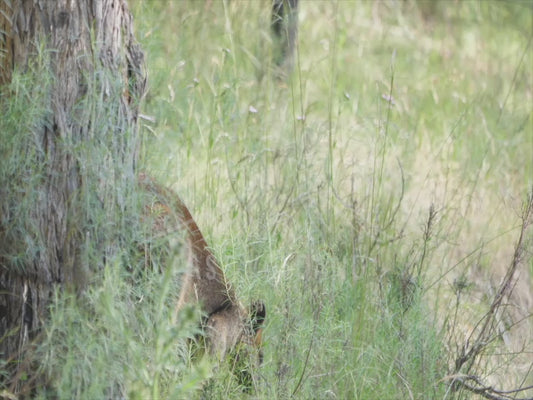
<point>228,324</point>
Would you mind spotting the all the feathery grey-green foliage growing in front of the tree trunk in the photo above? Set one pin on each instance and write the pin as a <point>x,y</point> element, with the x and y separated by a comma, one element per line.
<point>110,330</point>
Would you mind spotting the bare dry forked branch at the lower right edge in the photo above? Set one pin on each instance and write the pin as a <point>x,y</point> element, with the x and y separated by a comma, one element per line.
<point>485,333</point>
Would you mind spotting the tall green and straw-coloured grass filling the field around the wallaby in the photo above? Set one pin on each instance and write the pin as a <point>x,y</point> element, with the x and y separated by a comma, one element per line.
<point>375,231</point>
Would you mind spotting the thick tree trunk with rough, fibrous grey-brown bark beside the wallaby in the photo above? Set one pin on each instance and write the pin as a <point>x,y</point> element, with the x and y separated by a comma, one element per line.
<point>69,165</point>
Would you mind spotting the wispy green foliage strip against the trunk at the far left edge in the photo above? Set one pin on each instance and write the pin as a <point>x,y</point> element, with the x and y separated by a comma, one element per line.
<point>23,106</point>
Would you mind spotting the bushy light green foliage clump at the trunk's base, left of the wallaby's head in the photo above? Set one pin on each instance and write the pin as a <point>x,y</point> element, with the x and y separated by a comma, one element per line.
<point>119,339</point>
